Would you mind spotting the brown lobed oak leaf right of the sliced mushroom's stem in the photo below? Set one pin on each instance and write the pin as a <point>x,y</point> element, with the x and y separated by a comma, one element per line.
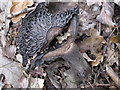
<point>94,42</point>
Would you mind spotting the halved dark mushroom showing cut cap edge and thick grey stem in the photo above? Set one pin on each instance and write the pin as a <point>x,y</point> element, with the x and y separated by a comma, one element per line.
<point>69,52</point>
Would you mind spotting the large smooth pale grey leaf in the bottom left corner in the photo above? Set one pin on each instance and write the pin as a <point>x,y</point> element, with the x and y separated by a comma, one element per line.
<point>11,70</point>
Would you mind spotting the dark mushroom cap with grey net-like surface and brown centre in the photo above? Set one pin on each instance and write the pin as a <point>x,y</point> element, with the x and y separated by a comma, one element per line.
<point>40,26</point>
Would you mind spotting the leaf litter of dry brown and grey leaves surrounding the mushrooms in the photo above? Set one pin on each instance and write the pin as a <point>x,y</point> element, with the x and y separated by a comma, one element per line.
<point>98,43</point>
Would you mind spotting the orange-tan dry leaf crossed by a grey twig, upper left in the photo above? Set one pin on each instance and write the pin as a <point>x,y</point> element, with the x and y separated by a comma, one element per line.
<point>19,6</point>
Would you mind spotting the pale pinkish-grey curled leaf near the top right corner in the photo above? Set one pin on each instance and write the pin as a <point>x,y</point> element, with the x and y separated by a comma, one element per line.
<point>107,13</point>
